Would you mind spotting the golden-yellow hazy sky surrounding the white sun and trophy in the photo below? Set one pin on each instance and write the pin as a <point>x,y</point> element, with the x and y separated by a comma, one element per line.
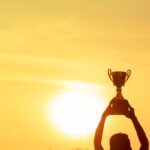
<point>44,42</point>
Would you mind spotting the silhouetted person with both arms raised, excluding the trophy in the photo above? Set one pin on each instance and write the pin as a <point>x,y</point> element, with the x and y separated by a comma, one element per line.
<point>120,141</point>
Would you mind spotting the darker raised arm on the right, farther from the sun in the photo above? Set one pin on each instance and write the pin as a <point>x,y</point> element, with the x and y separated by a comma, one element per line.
<point>139,130</point>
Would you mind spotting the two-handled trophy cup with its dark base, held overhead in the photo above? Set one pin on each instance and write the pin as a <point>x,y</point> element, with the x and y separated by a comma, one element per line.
<point>119,105</point>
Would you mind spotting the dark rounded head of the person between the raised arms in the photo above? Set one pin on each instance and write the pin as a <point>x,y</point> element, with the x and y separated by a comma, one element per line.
<point>120,141</point>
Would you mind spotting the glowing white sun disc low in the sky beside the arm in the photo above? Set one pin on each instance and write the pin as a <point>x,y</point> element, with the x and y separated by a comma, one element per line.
<point>76,112</point>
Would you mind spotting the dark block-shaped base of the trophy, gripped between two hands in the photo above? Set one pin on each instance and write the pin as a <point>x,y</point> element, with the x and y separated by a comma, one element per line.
<point>119,107</point>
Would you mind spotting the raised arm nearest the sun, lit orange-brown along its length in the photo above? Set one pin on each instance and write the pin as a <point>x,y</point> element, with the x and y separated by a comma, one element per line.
<point>99,130</point>
